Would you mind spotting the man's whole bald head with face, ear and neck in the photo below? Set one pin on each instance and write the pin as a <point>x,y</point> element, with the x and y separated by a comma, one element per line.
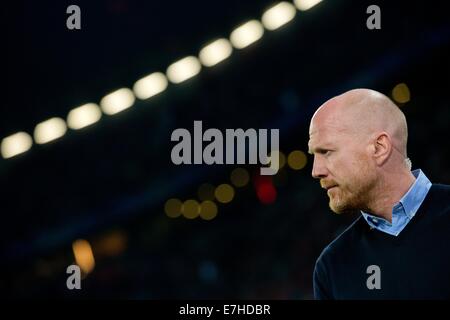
<point>358,140</point>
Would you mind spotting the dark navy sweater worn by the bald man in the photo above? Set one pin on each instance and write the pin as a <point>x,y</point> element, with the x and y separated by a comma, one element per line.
<point>413,265</point>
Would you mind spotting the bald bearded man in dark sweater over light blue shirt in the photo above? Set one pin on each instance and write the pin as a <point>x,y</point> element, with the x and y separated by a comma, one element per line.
<point>399,247</point>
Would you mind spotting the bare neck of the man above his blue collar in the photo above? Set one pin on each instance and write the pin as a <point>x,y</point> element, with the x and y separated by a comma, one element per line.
<point>389,191</point>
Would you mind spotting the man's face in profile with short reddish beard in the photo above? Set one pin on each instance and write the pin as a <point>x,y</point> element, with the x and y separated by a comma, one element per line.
<point>342,164</point>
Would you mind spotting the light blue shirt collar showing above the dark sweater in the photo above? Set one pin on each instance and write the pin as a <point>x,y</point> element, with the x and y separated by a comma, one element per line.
<point>405,209</point>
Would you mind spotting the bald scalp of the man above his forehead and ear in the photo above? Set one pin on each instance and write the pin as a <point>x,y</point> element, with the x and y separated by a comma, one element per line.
<point>361,113</point>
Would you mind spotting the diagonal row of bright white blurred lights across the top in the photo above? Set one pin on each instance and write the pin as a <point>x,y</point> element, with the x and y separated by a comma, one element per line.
<point>180,71</point>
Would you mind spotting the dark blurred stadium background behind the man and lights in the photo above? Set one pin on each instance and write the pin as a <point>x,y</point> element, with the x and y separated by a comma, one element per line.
<point>108,184</point>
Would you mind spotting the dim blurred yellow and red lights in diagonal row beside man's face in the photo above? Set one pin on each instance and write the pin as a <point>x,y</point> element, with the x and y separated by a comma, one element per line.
<point>206,208</point>
